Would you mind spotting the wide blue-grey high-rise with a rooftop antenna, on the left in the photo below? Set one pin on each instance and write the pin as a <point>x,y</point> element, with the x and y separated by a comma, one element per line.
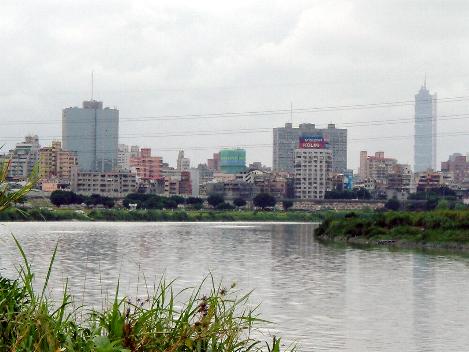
<point>92,132</point>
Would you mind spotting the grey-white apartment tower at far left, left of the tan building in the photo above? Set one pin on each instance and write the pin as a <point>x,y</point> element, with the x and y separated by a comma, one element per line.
<point>23,158</point>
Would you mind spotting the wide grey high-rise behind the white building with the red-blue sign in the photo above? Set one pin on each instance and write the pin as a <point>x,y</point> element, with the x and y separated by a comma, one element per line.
<point>285,141</point>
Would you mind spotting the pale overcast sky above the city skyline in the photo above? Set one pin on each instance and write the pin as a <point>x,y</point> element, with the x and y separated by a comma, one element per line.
<point>168,65</point>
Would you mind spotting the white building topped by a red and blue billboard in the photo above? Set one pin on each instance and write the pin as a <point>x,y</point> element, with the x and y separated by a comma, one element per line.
<point>313,168</point>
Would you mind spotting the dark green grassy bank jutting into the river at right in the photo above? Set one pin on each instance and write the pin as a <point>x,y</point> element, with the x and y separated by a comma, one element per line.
<point>448,229</point>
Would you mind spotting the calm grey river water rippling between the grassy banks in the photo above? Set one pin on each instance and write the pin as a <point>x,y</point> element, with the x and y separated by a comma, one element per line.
<point>326,298</point>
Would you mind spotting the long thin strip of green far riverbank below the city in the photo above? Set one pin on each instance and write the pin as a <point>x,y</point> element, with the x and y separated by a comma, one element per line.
<point>45,214</point>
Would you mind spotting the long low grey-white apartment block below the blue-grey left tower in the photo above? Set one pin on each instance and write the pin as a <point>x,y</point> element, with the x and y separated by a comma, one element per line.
<point>115,184</point>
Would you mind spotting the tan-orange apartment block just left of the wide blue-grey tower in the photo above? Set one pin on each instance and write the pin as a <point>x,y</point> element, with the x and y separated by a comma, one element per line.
<point>54,162</point>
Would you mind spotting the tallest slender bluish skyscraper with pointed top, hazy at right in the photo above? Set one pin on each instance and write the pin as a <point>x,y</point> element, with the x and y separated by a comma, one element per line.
<point>425,130</point>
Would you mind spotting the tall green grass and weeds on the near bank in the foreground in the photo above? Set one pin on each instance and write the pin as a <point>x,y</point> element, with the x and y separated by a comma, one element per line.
<point>160,321</point>
